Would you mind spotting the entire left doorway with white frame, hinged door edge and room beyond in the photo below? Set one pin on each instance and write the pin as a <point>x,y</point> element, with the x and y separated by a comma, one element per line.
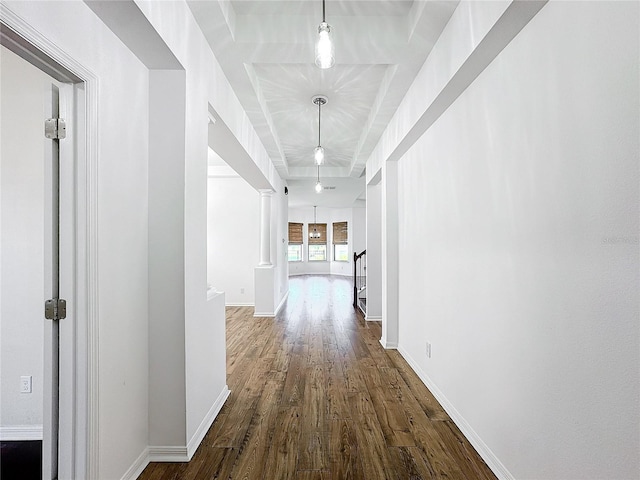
<point>47,226</point>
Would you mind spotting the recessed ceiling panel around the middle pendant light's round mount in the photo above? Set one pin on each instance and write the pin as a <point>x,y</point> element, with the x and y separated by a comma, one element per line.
<point>288,91</point>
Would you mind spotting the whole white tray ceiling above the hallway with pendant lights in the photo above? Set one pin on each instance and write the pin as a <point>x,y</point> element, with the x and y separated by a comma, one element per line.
<point>266,50</point>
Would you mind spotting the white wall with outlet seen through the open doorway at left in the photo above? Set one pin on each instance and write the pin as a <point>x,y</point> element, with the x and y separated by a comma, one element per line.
<point>22,200</point>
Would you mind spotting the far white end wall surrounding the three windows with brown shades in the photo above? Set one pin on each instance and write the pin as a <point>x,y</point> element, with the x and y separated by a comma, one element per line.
<point>328,216</point>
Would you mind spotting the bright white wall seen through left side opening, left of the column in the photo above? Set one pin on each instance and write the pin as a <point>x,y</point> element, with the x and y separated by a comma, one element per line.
<point>233,238</point>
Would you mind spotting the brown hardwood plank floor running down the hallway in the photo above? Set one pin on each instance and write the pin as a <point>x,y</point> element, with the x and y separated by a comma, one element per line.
<point>315,396</point>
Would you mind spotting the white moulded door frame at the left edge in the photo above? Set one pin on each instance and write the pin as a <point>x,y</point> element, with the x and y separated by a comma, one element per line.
<point>81,454</point>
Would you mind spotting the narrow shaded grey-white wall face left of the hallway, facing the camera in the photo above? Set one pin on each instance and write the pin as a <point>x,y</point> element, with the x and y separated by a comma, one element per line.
<point>166,261</point>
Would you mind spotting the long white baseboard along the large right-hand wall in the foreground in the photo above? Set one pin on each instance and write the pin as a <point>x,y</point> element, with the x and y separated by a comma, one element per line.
<point>482,448</point>
